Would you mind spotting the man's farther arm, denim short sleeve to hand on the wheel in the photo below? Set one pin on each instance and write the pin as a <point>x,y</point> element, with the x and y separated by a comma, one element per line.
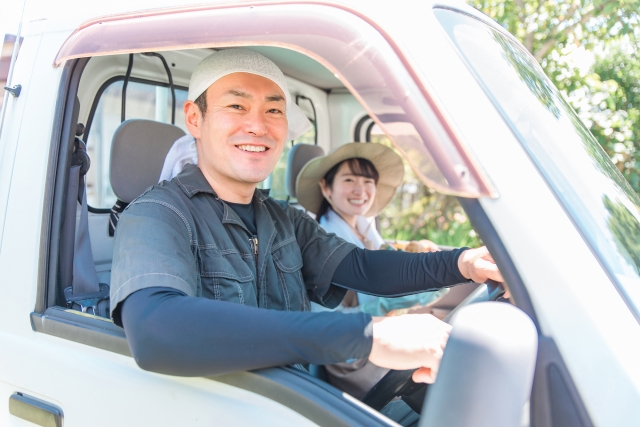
<point>331,265</point>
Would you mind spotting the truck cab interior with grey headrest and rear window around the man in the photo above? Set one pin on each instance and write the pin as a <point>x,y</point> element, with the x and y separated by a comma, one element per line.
<point>130,114</point>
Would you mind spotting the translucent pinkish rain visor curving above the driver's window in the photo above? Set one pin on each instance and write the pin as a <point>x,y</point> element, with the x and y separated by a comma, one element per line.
<point>374,69</point>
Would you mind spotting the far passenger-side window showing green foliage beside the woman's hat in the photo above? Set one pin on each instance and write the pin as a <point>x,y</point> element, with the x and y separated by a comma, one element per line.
<point>418,212</point>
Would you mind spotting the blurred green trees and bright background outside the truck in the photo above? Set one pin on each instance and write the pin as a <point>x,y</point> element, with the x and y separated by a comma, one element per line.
<point>588,48</point>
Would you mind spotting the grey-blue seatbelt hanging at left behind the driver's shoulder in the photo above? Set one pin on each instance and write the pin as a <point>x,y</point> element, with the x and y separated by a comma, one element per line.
<point>85,291</point>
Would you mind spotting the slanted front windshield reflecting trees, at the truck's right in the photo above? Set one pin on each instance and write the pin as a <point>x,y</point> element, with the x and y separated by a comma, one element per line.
<point>600,202</point>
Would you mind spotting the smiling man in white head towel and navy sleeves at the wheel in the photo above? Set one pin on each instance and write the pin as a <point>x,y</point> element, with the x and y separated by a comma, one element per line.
<point>210,275</point>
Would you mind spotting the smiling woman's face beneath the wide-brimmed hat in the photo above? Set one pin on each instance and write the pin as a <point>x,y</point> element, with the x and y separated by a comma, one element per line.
<point>350,195</point>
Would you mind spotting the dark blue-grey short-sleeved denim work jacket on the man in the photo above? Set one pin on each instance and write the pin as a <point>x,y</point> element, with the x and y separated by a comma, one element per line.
<point>180,234</point>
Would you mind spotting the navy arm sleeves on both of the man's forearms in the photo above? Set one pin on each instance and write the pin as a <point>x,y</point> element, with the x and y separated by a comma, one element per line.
<point>172,333</point>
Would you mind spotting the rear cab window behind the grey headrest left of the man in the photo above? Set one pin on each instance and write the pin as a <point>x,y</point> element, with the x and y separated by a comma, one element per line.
<point>144,101</point>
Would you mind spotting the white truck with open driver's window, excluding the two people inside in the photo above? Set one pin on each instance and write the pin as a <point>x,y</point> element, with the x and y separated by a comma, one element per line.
<point>468,108</point>
